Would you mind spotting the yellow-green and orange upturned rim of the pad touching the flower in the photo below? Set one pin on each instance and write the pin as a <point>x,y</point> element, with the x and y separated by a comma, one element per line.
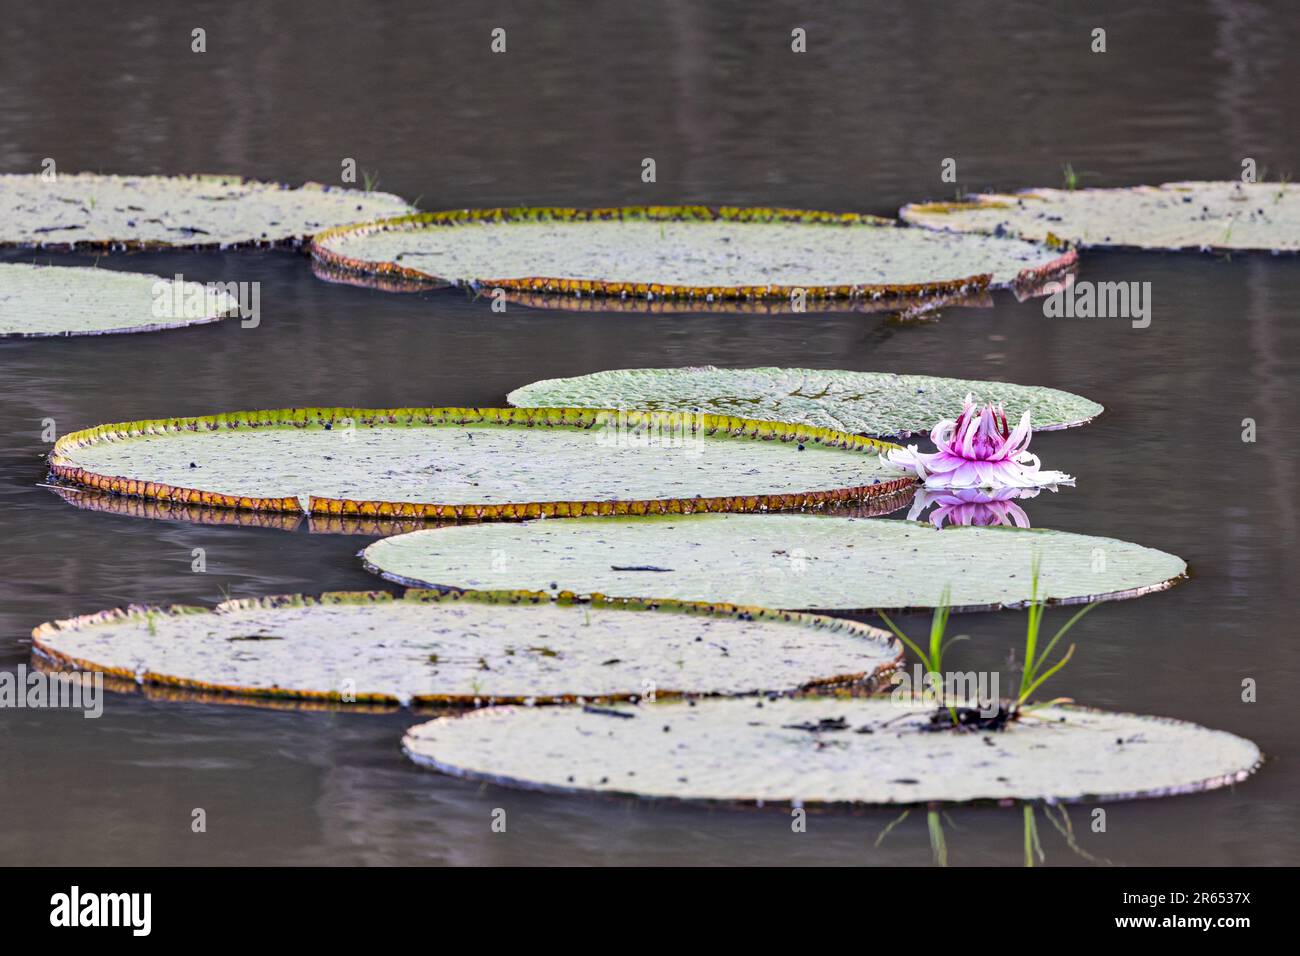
<point>580,419</point>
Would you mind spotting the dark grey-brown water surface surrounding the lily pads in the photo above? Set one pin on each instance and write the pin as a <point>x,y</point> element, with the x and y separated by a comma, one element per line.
<point>861,123</point>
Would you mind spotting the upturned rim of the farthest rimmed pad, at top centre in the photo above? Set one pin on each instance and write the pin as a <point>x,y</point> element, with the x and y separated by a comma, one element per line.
<point>656,214</point>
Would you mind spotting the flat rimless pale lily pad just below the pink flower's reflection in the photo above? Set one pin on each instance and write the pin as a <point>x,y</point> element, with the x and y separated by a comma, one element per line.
<point>781,561</point>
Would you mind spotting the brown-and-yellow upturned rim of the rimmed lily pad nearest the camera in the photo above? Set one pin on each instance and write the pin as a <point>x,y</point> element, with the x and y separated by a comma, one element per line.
<point>42,634</point>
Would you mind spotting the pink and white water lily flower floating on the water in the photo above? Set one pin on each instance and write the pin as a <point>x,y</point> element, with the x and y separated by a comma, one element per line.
<point>980,451</point>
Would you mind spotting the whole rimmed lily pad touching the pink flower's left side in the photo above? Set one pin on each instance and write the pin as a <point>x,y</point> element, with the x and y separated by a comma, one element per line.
<point>478,464</point>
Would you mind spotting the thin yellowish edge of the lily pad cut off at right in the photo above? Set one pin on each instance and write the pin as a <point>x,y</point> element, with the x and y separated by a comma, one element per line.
<point>916,215</point>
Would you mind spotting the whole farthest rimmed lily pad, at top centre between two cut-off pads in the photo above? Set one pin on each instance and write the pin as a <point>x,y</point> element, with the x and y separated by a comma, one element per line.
<point>683,253</point>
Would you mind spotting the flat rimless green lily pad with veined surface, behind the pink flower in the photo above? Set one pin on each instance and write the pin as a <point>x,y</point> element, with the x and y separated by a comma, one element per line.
<point>879,404</point>
